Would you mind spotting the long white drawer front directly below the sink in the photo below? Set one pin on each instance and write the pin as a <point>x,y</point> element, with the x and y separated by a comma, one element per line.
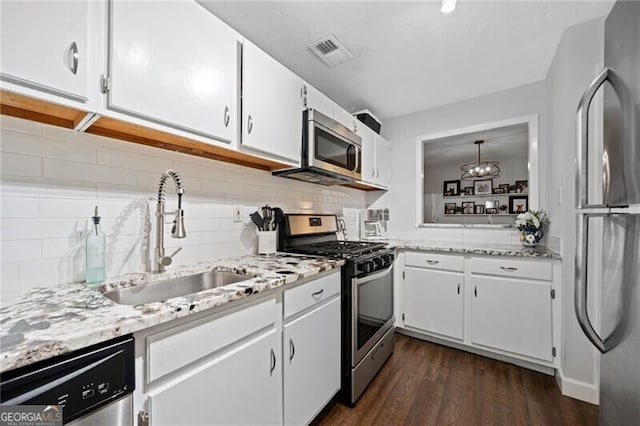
<point>174,348</point>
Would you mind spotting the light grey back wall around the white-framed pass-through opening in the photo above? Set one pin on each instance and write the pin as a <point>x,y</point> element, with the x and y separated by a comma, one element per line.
<point>403,131</point>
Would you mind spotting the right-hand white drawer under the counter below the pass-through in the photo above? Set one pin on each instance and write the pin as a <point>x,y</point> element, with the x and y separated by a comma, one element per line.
<point>507,267</point>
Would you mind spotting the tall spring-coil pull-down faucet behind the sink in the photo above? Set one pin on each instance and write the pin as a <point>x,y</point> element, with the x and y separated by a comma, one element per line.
<point>177,231</point>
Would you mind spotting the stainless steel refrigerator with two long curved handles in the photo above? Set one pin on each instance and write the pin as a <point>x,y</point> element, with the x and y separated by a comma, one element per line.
<point>607,288</point>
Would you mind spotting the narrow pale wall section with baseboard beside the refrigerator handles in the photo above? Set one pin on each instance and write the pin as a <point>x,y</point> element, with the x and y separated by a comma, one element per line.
<point>578,60</point>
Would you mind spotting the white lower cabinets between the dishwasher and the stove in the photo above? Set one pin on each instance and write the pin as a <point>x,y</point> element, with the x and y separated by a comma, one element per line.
<point>242,366</point>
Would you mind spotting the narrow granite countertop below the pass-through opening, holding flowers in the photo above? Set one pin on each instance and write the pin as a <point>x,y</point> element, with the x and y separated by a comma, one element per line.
<point>475,248</point>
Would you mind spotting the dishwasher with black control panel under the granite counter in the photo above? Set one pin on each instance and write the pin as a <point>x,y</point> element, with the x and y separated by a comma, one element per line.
<point>93,385</point>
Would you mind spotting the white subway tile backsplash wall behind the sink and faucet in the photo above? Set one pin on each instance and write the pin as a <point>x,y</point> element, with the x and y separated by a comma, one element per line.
<point>51,178</point>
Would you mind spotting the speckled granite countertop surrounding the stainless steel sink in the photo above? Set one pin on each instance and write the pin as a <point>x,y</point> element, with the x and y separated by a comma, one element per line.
<point>51,321</point>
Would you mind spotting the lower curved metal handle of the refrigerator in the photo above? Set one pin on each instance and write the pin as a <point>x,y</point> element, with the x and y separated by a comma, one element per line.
<point>580,291</point>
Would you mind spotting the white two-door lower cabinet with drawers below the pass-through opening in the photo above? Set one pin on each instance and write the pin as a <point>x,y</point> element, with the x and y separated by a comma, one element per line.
<point>491,304</point>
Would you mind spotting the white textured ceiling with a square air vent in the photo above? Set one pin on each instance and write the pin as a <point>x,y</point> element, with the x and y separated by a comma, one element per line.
<point>408,56</point>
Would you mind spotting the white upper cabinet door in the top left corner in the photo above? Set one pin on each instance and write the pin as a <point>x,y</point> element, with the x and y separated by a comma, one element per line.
<point>44,46</point>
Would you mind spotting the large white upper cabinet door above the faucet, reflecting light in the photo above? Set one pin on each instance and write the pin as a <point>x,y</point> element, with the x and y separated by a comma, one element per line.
<point>178,72</point>
